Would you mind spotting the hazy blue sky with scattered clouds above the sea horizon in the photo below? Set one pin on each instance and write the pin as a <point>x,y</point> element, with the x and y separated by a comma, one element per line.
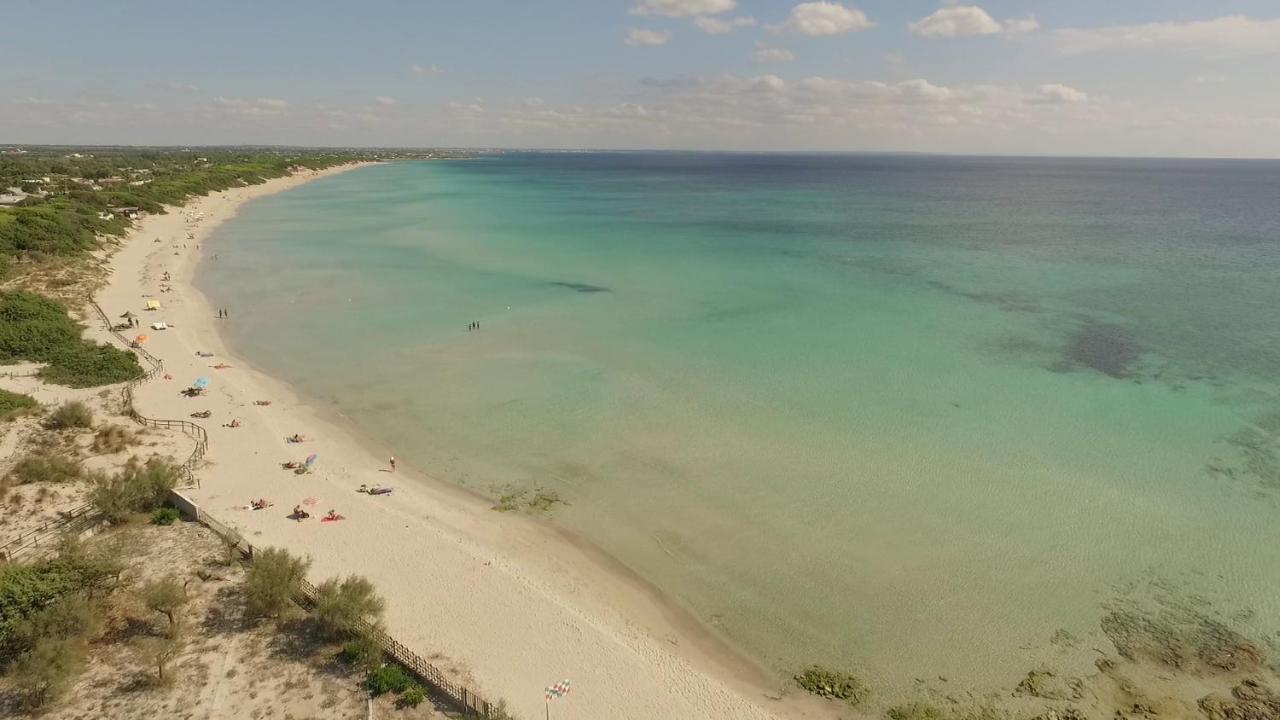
<point>1094,78</point>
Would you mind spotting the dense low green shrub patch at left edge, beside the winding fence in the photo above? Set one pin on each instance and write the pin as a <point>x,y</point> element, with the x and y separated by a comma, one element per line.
<point>38,330</point>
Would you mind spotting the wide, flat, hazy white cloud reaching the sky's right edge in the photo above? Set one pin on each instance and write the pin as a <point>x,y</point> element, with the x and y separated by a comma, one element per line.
<point>1232,35</point>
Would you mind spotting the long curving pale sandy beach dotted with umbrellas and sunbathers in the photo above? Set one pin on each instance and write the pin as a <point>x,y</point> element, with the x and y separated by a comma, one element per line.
<point>509,603</point>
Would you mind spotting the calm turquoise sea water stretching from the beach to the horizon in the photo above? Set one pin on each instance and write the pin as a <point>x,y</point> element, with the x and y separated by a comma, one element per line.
<point>909,416</point>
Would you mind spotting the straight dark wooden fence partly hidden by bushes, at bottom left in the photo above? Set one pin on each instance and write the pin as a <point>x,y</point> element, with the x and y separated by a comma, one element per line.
<point>460,696</point>
